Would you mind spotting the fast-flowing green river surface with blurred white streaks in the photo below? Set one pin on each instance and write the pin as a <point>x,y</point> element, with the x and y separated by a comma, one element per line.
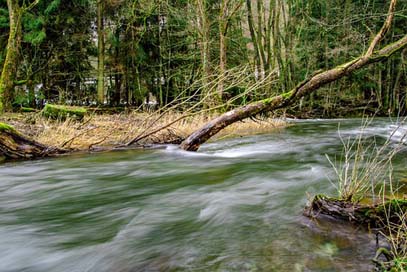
<point>236,205</point>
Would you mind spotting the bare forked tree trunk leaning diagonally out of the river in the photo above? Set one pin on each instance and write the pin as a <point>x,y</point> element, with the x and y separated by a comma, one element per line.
<point>193,142</point>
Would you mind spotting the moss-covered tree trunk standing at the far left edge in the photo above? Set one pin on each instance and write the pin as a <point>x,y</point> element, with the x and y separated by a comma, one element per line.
<point>9,71</point>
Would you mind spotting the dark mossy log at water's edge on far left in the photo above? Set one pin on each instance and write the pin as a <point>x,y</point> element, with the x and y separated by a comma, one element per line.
<point>14,146</point>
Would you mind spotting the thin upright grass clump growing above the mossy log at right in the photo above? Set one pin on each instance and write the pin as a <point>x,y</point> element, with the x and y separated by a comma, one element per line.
<point>364,165</point>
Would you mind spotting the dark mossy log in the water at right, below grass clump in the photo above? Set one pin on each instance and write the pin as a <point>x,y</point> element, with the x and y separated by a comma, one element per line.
<point>372,216</point>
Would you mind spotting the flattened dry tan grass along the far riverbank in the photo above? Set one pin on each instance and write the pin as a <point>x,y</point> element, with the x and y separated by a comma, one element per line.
<point>119,129</point>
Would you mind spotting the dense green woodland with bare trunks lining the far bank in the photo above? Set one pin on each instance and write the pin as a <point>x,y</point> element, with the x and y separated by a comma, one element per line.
<point>197,52</point>
